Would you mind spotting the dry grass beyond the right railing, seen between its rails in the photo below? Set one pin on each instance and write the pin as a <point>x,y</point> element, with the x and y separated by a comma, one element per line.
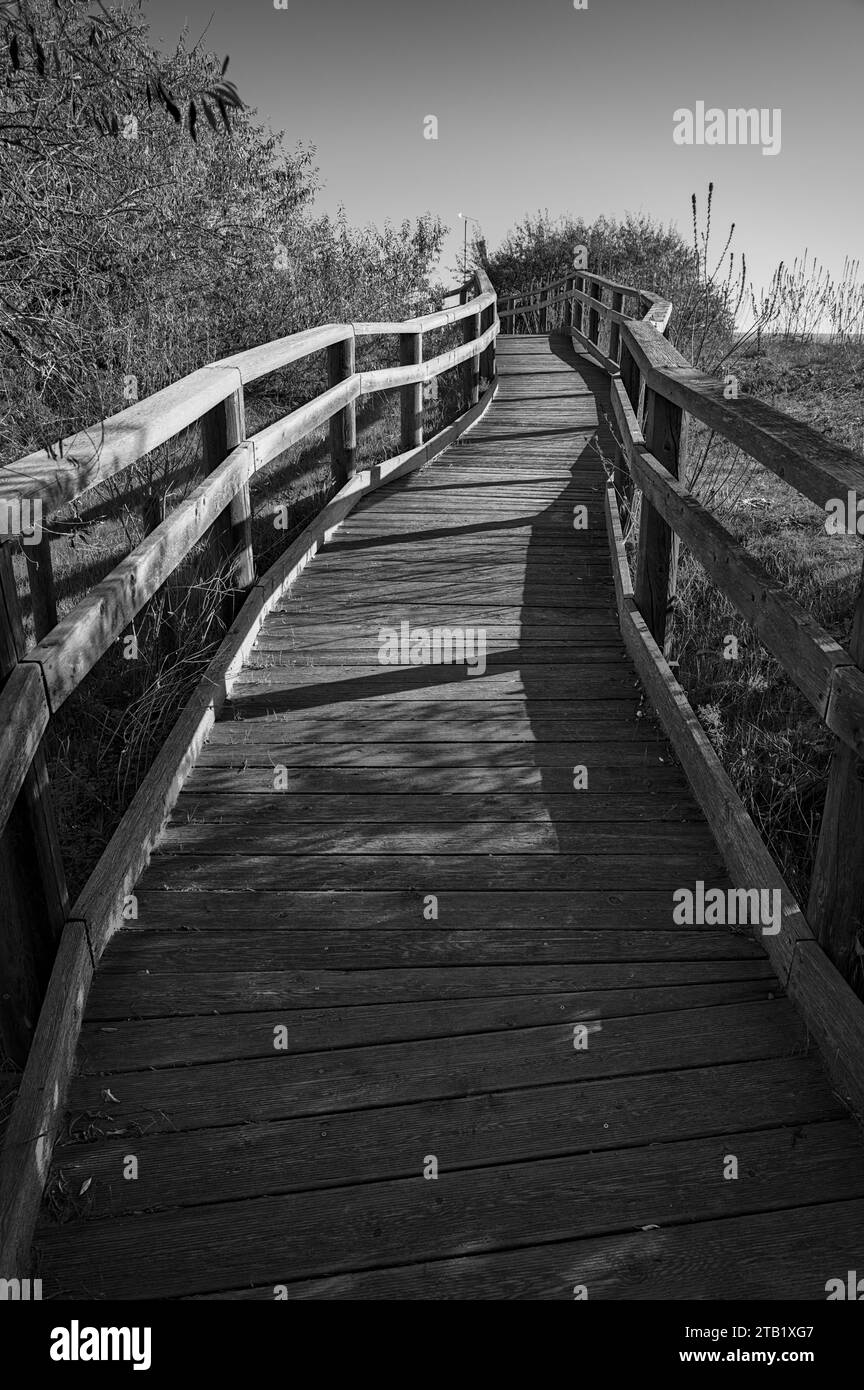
<point>772,742</point>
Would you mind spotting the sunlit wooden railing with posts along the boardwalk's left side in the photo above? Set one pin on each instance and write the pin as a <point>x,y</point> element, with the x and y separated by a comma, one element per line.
<point>35,683</point>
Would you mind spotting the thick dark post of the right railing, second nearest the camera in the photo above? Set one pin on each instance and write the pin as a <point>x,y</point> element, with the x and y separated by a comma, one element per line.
<point>658,554</point>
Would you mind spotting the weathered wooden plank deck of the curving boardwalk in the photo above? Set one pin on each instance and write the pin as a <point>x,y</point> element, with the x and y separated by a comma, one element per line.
<point>297,1159</point>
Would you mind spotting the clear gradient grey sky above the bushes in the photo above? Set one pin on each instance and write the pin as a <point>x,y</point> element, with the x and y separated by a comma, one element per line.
<point>544,106</point>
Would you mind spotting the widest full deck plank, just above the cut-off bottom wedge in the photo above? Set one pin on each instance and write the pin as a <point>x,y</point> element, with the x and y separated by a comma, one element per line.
<point>270,1239</point>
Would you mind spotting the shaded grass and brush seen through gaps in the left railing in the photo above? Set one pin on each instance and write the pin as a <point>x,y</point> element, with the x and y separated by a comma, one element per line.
<point>106,737</point>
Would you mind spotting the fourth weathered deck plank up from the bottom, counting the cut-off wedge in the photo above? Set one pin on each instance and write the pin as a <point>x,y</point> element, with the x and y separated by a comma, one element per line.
<point>322,1084</point>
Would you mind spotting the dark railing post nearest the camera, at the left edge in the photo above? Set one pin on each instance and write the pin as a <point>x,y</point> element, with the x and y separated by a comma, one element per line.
<point>34,890</point>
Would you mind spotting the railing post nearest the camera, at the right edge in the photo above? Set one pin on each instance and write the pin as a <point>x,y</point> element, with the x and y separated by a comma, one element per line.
<point>836,908</point>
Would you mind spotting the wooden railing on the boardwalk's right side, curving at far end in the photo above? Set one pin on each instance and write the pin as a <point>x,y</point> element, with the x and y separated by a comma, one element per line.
<point>652,390</point>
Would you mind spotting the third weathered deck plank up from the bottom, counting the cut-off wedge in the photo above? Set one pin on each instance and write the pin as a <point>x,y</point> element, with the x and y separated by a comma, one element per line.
<point>240,1163</point>
